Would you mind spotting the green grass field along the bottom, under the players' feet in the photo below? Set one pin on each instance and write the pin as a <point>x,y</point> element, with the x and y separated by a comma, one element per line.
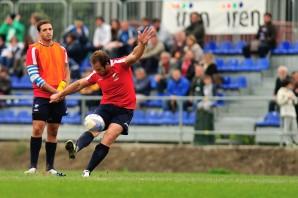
<point>127,184</point>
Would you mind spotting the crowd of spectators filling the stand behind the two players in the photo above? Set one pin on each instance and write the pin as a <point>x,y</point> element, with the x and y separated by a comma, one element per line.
<point>175,62</point>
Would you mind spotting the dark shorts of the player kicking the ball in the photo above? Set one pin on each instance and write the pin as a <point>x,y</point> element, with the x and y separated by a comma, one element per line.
<point>114,114</point>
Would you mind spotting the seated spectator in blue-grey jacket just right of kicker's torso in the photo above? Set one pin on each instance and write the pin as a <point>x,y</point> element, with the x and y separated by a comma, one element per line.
<point>142,84</point>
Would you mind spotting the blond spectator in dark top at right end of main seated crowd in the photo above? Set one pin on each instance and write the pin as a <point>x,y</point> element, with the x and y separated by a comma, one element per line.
<point>211,69</point>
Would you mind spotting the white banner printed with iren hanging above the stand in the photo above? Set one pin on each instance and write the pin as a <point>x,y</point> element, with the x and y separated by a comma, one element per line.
<point>219,16</point>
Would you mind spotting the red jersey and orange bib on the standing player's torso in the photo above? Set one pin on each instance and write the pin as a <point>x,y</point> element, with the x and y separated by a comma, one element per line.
<point>50,61</point>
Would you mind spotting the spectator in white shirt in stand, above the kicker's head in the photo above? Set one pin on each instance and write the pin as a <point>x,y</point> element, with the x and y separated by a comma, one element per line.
<point>102,35</point>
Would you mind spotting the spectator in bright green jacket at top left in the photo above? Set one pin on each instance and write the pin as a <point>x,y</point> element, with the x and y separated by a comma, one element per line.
<point>13,27</point>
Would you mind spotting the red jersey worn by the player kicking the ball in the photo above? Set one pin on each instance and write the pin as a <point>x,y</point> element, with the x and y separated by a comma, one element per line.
<point>117,85</point>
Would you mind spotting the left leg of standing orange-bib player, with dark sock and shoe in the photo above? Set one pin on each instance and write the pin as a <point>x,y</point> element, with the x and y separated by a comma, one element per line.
<point>35,144</point>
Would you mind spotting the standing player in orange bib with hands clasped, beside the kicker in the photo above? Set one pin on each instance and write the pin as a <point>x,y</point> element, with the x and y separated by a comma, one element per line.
<point>47,67</point>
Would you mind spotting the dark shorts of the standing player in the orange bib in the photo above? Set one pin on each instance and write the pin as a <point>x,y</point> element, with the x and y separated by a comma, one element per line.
<point>48,112</point>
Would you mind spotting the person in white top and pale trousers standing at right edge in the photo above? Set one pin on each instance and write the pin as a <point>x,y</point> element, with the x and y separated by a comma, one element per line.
<point>286,99</point>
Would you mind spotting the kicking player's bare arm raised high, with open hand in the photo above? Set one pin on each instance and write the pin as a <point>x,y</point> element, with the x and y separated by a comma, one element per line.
<point>143,38</point>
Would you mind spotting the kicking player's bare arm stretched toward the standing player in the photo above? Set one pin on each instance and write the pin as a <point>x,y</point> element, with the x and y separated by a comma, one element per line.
<point>72,88</point>
